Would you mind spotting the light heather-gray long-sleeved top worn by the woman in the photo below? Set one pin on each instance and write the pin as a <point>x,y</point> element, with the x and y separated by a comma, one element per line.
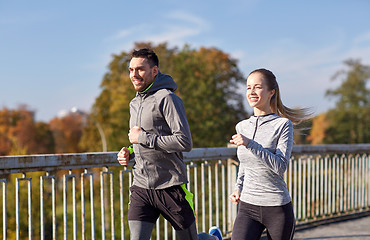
<point>264,160</point>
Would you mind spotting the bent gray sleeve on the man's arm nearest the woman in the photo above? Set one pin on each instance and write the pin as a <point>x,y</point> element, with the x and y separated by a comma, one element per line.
<point>180,138</point>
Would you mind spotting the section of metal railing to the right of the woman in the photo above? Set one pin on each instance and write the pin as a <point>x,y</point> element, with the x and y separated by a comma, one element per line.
<point>329,181</point>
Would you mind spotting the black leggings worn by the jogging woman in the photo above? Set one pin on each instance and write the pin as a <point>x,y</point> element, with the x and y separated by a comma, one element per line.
<point>252,220</point>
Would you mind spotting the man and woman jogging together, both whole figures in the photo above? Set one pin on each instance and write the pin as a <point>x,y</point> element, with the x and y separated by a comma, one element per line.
<point>159,133</point>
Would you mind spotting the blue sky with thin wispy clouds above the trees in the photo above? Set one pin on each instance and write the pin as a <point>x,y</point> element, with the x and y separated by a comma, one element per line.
<point>53,54</point>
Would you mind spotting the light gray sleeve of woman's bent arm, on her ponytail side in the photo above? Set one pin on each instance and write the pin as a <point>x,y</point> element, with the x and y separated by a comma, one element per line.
<point>278,161</point>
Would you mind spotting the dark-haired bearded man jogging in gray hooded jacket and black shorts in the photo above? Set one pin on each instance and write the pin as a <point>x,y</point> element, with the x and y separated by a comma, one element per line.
<point>159,133</point>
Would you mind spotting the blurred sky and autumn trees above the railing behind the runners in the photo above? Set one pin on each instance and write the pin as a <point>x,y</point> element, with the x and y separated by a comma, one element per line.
<point>65,85</point>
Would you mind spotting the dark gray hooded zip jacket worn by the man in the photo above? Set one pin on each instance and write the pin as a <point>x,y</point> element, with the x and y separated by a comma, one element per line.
<point>166,134</point>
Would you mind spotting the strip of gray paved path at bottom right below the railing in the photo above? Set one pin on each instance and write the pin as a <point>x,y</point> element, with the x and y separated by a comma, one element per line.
<point>355,229</point>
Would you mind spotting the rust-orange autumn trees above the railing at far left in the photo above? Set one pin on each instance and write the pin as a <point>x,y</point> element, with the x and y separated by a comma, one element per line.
<point>20,134</point>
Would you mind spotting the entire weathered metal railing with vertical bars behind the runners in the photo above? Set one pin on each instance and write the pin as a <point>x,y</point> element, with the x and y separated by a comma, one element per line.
<point>324,181</point>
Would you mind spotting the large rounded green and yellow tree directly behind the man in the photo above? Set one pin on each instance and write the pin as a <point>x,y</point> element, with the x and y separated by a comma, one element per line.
<point>207,81</point>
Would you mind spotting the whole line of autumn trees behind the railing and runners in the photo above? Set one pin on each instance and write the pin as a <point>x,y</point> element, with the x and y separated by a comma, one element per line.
<point>208,82</point>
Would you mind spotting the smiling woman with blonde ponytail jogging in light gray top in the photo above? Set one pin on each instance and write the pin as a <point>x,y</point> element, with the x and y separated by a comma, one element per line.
<point>264,142</point>
